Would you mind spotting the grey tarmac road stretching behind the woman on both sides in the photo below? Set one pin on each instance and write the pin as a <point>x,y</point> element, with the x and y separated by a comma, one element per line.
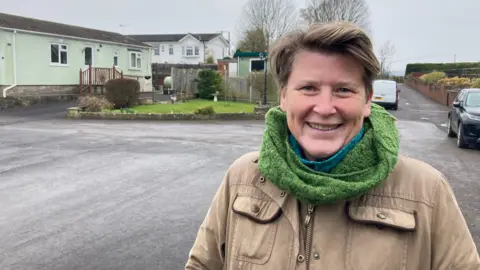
<point>131,195</point>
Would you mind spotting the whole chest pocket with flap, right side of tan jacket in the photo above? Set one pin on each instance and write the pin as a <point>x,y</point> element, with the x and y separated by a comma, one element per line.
<point>378,238</point>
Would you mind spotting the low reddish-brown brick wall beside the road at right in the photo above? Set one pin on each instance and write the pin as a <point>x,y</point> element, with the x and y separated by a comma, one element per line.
<point>442,94</point>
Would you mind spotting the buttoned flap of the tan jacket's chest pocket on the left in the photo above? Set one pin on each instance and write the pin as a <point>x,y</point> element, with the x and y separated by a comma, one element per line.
<point>259,210</point>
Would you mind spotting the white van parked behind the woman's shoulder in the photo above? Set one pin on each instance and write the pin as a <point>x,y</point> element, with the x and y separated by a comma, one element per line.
<point>385,93</point>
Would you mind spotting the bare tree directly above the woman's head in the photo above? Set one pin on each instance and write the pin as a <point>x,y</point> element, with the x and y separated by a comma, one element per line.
<point>323,11</point>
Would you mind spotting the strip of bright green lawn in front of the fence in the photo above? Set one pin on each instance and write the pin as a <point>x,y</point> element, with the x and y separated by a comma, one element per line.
<point>190,106</point>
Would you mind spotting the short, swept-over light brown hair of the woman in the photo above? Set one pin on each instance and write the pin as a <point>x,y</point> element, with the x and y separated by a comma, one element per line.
<point>336,37</point>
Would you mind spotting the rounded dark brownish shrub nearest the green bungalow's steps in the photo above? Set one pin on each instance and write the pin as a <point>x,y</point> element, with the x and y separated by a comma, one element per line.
<point>122,92</point>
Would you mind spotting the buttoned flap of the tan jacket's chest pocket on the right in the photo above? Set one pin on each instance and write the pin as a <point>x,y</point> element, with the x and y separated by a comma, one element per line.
<point>383,216</point>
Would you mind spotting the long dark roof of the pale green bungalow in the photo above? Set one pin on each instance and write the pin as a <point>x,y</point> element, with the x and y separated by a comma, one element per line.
<point>30,24</point>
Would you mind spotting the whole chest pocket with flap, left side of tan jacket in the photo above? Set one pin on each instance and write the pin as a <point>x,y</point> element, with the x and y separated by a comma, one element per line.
<point>254,229</point>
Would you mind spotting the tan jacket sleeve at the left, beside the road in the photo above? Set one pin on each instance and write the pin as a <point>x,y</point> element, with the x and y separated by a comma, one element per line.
<point>208,251</point>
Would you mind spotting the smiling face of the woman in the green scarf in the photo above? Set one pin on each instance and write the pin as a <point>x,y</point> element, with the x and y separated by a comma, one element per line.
<point>325,102</point>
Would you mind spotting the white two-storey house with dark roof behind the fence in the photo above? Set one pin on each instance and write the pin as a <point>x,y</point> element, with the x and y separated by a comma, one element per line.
<point>185,48</point>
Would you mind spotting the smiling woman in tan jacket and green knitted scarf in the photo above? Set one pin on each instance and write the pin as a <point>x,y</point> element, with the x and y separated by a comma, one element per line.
<point>328,189</point>
